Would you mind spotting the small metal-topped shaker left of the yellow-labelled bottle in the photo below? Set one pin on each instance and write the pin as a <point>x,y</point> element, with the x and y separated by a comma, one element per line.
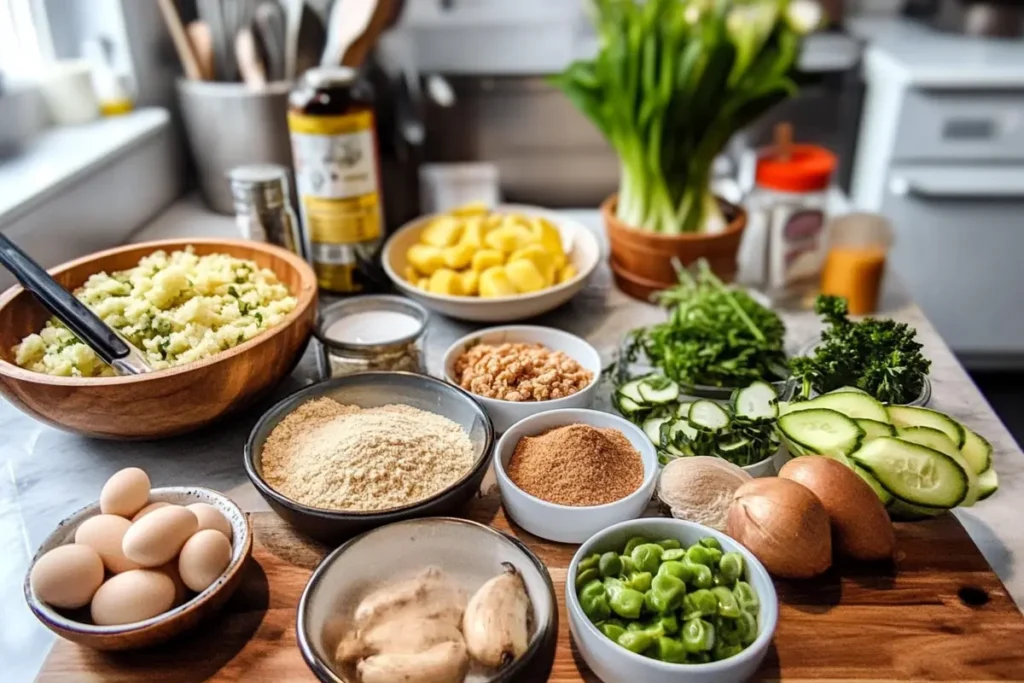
<point>264,207</point>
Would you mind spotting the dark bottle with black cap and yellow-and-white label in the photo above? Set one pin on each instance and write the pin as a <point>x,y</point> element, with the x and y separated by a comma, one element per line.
<point>337,172</point>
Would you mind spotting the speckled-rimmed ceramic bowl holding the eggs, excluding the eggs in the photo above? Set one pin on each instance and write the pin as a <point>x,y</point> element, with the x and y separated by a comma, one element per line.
<point>172,623</point>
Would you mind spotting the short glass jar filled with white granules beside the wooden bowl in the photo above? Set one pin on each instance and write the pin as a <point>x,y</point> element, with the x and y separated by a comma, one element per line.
<point>377,332</point>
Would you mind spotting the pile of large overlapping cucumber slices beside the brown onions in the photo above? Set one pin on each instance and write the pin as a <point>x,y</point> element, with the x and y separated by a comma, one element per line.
<point>920,462</point>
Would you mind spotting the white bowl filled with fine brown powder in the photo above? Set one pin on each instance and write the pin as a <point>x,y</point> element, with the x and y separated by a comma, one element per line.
<point>566,476</point>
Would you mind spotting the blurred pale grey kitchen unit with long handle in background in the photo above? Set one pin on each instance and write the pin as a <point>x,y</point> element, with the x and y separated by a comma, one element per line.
<point>942,155</point>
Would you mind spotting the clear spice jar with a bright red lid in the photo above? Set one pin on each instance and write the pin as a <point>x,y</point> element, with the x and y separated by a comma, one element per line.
<point>788,214</point>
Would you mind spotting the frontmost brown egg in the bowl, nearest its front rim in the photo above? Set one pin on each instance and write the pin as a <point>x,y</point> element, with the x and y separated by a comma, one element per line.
<point>133,596</point>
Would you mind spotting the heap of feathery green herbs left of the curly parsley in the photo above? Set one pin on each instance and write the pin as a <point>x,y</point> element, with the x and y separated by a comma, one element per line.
<point>715,335</point>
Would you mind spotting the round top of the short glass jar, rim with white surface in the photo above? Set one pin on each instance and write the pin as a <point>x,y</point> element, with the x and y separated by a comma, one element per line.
<point>371,324</point>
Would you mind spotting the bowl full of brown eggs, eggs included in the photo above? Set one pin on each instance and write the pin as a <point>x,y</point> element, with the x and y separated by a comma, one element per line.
<point>141,566</point>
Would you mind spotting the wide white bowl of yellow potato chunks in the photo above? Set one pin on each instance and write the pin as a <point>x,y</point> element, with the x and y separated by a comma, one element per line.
<point>492,265</point>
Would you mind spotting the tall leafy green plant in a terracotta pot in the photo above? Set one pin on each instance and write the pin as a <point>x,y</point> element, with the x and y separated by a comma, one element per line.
<point>674,80</point>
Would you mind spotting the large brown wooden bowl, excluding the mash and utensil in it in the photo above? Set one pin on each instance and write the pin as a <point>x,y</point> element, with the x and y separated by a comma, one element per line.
<point>169,402</point>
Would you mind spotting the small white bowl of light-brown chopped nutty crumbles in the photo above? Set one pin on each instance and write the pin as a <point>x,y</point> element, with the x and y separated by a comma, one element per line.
<point>518,371</point>
